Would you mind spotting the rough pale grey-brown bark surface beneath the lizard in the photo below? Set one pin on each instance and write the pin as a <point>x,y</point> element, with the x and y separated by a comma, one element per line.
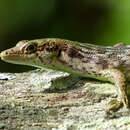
<point>50,100</point>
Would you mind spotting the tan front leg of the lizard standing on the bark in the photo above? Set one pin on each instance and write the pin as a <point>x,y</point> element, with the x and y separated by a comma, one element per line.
<point>119,79</point>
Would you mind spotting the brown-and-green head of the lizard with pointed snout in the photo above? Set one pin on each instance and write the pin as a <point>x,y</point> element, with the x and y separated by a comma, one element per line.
<point>39,53</point>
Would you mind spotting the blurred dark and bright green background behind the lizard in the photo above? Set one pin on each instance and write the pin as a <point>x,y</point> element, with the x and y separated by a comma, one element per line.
<point>94,21</point>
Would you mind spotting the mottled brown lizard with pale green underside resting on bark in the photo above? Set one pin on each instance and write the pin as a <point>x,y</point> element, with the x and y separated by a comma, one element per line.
<point>107,63</point>
